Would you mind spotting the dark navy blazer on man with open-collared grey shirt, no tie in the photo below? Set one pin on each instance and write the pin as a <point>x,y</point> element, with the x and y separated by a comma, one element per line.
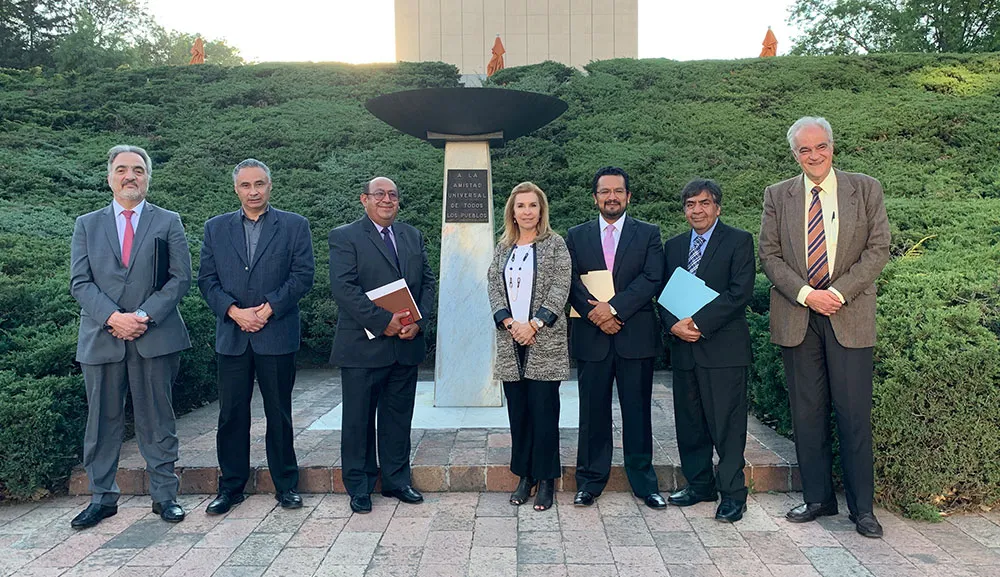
<point>281,274</point>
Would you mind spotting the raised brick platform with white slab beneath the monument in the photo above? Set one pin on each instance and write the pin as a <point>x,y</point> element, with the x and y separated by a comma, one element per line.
<point>447,457</point>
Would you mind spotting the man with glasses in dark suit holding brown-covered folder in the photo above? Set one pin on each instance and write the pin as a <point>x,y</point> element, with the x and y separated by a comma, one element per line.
<point>379,375</point>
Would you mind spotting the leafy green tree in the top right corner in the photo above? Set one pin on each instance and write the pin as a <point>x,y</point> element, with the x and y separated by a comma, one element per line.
<point>853,26</point>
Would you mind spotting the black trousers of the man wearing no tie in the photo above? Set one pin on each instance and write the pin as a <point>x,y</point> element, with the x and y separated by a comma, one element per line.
<point>275,376</point>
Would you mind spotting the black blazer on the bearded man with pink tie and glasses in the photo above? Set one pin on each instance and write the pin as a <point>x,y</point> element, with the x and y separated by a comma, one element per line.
<point>638,277</point>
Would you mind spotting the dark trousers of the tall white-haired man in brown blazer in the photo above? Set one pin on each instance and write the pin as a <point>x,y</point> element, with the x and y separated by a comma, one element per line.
<point>819,372</point>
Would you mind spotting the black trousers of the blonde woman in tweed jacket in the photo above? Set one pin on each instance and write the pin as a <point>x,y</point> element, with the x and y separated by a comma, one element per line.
<point>533,408</point>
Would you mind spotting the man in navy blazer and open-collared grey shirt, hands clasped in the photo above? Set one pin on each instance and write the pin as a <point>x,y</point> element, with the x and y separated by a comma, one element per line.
<point>256,264</point>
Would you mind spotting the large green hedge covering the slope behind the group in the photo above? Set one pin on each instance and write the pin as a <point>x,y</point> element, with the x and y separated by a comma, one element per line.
<point>926,125</point>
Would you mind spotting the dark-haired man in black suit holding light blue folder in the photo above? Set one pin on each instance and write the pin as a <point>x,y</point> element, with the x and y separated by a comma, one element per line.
<point>709,349</point>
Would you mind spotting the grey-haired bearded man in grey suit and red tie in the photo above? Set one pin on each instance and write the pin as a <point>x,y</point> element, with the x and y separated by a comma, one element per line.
<point>131,333</point>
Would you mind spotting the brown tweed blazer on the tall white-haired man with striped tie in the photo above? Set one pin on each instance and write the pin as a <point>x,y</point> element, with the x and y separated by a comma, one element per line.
<point>862,252</point>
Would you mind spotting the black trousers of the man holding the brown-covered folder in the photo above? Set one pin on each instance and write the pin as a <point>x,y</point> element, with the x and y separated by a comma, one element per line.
<point>385,393</point>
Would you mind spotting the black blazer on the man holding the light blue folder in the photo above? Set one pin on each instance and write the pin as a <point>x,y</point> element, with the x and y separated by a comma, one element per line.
<point>727,266</point>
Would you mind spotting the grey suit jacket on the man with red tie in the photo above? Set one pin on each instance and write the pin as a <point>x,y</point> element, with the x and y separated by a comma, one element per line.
<point>101,285</point>
